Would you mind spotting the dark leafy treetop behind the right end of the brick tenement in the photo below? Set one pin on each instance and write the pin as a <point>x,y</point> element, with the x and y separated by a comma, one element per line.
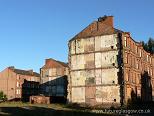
<point>149,46</point>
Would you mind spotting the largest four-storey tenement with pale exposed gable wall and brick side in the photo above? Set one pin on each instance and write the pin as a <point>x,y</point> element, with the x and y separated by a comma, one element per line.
<point>107,65</point>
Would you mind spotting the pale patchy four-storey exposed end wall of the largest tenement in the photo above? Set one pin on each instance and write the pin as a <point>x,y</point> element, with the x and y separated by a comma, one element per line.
<point>94,70</point>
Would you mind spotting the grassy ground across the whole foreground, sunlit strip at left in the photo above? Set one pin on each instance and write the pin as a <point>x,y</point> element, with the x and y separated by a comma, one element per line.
<point>27,109</point>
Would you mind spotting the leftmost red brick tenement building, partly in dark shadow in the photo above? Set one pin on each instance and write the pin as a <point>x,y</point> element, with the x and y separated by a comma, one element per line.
<point>19,84</point>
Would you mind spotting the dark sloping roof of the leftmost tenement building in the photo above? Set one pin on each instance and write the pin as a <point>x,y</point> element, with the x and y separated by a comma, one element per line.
<point>24,72</point>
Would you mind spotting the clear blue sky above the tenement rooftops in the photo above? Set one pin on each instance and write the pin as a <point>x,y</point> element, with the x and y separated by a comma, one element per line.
<point>33,30</point>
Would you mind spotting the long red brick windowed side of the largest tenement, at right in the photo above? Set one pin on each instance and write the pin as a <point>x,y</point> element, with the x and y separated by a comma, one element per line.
<point>138,69</point>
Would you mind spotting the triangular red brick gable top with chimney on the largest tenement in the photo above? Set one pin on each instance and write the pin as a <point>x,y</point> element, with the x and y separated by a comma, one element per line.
<point>98,28</point>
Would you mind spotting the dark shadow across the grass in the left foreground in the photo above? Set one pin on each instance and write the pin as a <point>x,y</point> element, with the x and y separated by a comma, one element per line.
<point>41,111</point>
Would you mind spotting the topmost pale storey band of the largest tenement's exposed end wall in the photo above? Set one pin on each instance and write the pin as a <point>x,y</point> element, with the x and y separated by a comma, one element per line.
<point>98,43</point>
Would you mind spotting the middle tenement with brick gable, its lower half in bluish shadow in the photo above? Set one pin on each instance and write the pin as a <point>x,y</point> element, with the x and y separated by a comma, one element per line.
<point>54,80</point>
